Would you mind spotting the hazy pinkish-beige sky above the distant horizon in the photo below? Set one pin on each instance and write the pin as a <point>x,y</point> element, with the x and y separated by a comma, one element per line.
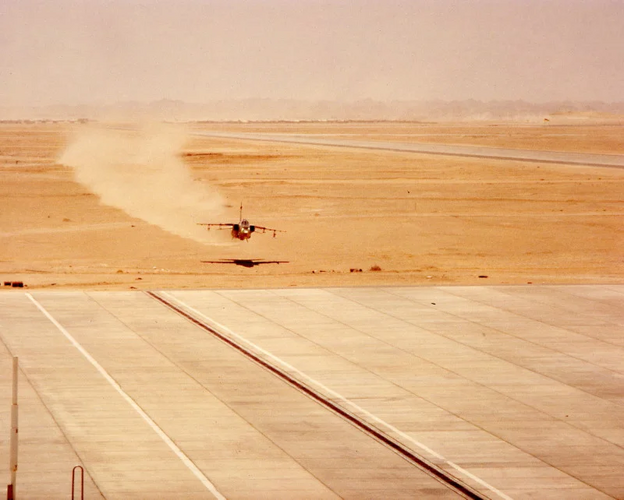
<point>103,51</point>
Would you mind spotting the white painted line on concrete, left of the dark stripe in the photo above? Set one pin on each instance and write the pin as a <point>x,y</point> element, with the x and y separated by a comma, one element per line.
<point>185,460</point>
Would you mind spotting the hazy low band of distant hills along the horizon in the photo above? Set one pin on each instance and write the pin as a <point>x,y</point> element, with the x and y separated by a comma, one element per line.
<point>295,110</point>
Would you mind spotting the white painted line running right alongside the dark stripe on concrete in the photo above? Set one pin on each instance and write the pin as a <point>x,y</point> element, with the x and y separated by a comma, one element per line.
<point>337,396</point>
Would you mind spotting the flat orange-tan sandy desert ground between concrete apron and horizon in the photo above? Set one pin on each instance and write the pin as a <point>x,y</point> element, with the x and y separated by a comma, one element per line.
<point>418,219</point>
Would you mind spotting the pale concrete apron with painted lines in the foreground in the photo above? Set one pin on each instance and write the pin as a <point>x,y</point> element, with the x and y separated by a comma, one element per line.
<point>510,391</point>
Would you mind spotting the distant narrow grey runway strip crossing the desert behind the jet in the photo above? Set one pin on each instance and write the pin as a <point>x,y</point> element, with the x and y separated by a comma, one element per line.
<point>565,158</point>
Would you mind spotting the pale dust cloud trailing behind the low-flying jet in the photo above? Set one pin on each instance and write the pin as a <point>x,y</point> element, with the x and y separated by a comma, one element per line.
<point>141,172</point>
